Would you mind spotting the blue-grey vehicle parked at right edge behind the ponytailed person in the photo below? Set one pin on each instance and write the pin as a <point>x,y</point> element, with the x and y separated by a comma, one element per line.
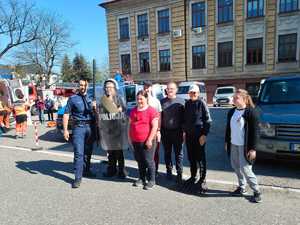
<point>278,109</point>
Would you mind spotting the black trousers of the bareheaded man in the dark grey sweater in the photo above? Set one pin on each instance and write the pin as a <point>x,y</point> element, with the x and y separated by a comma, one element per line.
<point>172,139</point>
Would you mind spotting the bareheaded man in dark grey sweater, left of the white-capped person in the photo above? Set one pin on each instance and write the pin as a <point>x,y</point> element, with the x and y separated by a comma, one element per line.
<point>171,129</point>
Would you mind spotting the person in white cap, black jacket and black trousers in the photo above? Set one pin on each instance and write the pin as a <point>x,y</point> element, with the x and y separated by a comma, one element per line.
<point>196,127</point>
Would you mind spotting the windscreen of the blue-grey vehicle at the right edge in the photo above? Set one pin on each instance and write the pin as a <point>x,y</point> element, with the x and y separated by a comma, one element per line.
<point>281,92</point>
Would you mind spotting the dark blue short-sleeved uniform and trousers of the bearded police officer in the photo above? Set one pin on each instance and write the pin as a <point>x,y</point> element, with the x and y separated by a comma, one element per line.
<point>80,108</point>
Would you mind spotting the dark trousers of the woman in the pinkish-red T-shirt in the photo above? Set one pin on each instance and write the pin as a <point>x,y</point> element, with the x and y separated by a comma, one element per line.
<point>145,160</point>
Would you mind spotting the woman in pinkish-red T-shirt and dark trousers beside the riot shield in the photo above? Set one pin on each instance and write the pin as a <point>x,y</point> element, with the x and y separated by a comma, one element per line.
<point>142,134</point>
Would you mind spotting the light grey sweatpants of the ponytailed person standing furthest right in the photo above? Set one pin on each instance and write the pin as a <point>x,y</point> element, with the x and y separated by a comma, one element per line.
<point>242,168</point>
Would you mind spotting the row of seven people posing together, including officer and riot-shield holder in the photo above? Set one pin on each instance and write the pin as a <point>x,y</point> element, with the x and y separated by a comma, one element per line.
<point>171,121</point>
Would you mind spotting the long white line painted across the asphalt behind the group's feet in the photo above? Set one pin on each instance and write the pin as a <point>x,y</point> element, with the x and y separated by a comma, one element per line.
<point>133,164</point>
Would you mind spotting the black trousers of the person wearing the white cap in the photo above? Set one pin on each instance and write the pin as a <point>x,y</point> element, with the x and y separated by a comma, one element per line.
<point>196,156</point>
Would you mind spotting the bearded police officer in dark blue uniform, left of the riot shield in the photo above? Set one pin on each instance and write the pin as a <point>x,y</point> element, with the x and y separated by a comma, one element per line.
<point>80,107</point>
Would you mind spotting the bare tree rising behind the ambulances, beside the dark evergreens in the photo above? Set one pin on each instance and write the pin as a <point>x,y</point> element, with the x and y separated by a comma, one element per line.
<point>48,49</point>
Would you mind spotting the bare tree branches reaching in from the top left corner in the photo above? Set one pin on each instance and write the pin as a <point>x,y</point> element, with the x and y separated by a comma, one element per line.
<point>19,24</point>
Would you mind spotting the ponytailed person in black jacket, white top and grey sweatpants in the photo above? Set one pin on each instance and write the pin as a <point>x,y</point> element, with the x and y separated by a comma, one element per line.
<point>240,142</point>
